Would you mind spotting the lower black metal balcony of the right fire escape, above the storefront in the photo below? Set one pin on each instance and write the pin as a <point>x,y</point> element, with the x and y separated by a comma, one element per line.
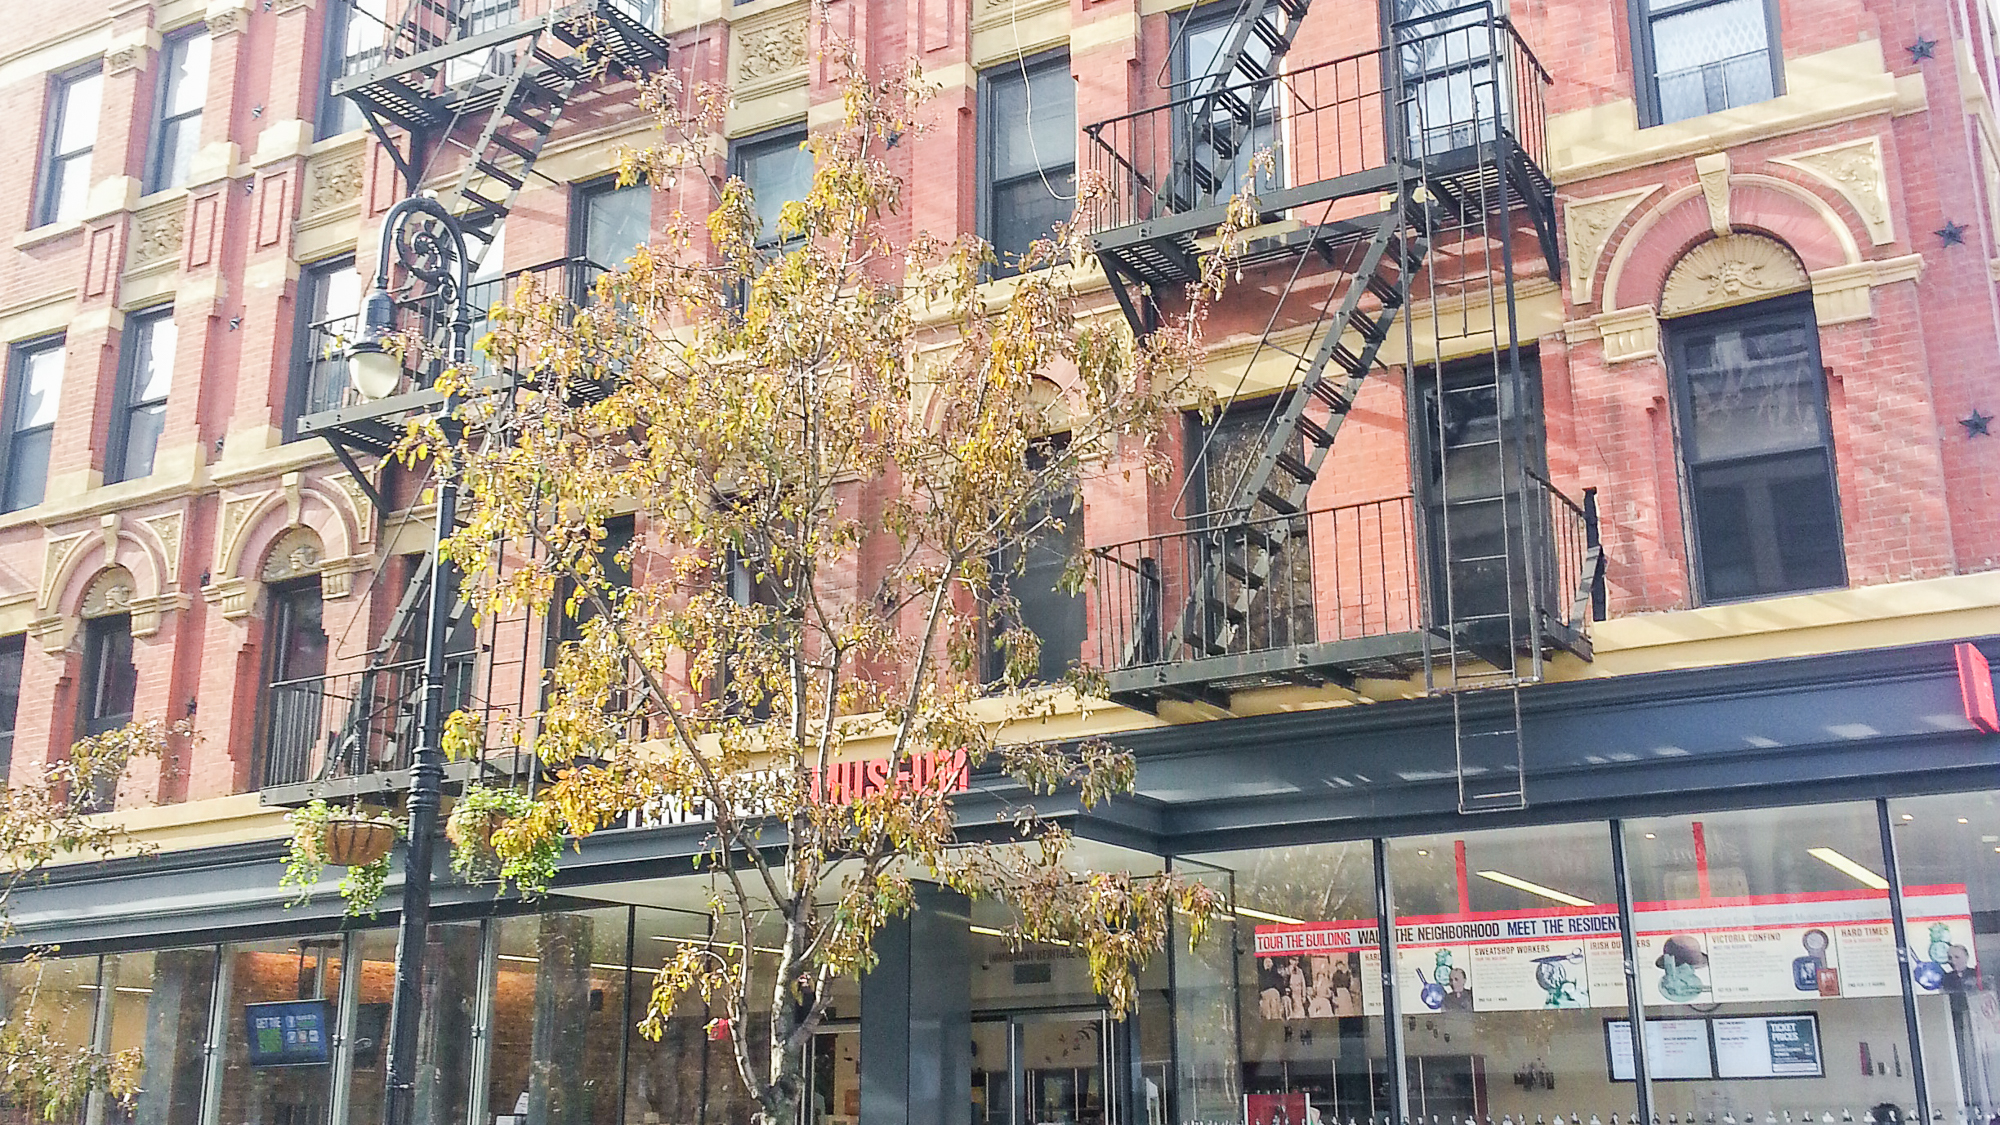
<point>1349,598</point>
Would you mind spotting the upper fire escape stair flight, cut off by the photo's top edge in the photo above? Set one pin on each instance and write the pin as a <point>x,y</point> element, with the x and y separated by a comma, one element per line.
<point>1231,97</point>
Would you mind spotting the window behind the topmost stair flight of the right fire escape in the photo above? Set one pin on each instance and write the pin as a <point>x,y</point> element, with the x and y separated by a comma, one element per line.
<point>1215,147</point>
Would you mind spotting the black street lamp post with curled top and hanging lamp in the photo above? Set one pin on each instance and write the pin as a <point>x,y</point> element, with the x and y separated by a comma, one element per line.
<point>429,243</point>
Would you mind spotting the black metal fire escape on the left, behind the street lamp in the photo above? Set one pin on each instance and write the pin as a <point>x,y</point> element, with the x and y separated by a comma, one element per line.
<point>487,83</point>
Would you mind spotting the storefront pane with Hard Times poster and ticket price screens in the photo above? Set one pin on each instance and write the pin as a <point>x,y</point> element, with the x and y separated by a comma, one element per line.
<point>1767,966</point>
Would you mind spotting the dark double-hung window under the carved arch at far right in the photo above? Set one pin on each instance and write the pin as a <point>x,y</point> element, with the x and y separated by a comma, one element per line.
<point>1757,443</point>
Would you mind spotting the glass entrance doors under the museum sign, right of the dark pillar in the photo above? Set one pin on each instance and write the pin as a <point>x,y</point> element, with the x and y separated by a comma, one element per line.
<point>1045,1070</point>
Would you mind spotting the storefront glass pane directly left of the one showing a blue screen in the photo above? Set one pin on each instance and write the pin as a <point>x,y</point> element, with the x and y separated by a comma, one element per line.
<point>161,1008</point>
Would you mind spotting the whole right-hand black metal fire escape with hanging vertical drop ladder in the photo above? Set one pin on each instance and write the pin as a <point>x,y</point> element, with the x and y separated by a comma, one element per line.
<point>1397,181</point>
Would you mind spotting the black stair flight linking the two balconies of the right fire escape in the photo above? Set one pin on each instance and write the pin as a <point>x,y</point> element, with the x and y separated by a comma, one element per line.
<point>1245,545</point>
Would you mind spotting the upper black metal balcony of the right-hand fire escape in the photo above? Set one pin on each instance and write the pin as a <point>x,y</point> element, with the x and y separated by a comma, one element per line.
<point>1455,103</point>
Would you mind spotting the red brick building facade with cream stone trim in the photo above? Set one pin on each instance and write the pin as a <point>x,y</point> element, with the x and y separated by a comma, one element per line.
<point>1743,191</point>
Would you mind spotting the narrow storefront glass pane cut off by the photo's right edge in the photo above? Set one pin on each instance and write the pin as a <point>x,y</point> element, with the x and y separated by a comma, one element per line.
<point>1949,862</point>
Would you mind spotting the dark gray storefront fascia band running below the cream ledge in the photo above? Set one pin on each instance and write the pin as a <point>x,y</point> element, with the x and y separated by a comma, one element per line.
<point>1815,730</point>
